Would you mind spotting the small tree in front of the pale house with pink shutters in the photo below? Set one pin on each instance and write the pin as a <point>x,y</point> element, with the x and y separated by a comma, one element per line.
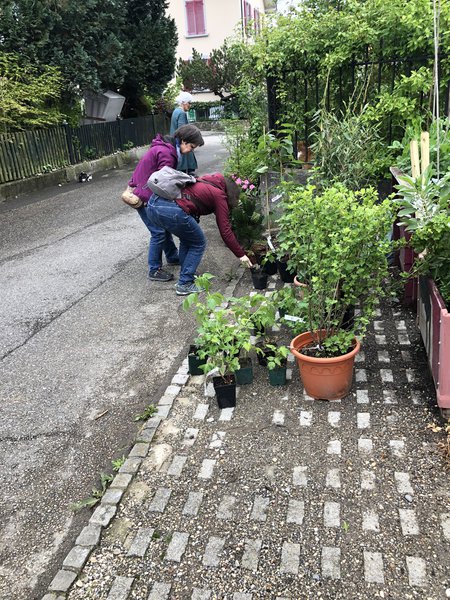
<point>220,73</point>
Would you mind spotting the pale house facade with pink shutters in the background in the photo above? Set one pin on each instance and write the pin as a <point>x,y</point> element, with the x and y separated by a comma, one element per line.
<point>205,24</point>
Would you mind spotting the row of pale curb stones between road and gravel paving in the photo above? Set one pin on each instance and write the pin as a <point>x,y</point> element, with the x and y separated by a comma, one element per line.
<point>90,536</point>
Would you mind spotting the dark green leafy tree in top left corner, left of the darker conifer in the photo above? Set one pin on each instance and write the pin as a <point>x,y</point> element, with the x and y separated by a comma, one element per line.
<point>81,38</point>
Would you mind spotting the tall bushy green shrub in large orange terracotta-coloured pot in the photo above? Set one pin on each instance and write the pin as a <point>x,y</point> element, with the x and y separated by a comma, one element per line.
<point>338,240</point>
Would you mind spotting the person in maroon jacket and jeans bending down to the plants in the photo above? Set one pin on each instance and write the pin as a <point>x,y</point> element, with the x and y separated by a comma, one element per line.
<point>211,194</point>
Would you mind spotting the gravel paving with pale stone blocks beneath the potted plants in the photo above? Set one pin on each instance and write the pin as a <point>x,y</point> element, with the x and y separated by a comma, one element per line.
<point>282,497</point>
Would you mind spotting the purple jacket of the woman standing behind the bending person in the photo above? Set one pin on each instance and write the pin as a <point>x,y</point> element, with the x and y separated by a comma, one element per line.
<point>160,154</point>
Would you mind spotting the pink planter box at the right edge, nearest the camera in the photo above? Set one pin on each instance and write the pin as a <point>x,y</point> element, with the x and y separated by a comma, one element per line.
<point>434,325</point>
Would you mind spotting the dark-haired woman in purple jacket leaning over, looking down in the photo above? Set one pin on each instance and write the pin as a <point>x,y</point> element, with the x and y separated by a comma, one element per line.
<point>163,152</point>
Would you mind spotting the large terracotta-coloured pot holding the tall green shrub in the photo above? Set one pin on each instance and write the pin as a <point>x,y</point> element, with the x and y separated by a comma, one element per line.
<point>324,378</point>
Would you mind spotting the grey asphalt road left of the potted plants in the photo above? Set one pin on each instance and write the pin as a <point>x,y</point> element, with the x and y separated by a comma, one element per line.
<point>86,342</point>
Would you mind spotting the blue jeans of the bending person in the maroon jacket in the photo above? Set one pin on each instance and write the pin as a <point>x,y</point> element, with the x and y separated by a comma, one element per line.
<point>166,215</point>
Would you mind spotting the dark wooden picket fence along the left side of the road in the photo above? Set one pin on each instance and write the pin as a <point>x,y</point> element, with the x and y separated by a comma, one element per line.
<point>28,153</point>
